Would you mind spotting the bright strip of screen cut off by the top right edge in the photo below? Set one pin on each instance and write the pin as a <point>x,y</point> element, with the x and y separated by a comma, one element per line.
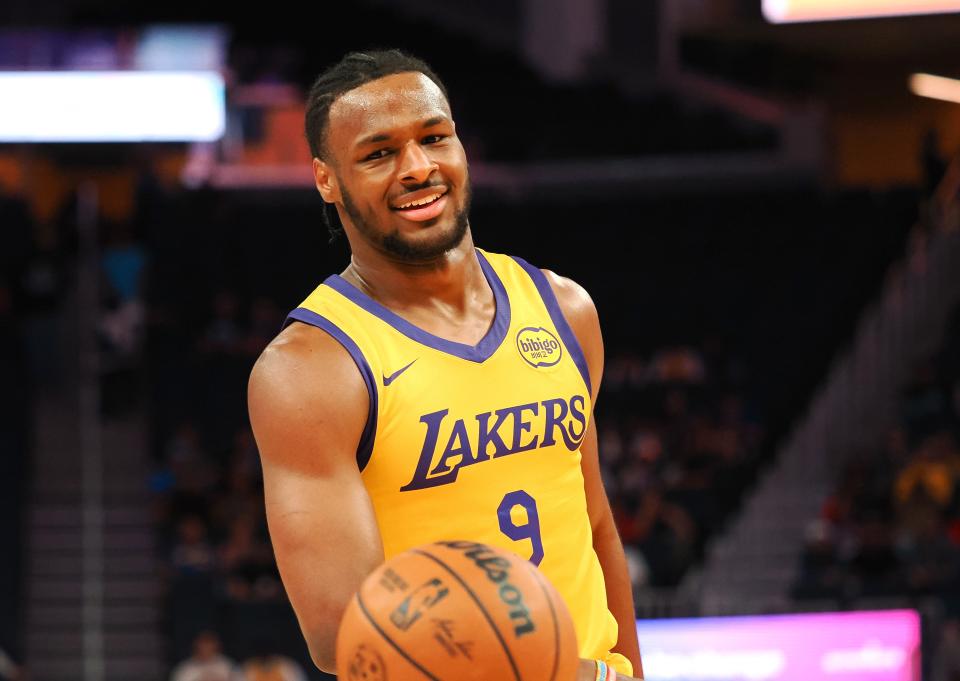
<point>785,11</point>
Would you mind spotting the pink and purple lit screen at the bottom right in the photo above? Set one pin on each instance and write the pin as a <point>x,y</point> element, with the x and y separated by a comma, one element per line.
<point>852,646</point>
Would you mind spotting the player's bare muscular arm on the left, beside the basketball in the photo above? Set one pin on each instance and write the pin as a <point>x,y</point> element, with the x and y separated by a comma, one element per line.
<point>308,406</point>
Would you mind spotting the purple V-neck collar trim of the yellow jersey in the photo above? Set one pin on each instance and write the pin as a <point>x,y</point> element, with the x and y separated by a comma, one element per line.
<point>480,352</point>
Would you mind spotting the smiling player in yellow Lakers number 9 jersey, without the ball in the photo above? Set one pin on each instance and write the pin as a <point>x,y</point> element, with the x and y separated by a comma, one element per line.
<point>431,390</point>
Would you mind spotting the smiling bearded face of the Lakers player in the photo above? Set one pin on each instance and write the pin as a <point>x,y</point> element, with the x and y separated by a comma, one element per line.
<point>396,170</point>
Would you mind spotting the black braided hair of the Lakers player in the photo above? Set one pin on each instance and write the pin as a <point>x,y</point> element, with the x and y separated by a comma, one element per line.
<point>352,71</point>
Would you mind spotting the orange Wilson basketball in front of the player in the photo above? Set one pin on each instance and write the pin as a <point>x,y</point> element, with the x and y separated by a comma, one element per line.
<point>456,611</point>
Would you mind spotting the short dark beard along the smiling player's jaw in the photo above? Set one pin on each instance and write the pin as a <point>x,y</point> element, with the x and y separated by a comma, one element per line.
<point>405,249</point>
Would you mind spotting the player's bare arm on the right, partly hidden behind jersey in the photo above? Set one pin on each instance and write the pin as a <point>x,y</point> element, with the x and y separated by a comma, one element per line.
<point>581,314</point>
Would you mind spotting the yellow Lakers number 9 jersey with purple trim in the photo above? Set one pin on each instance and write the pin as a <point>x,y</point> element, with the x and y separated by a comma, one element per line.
<point>479,442</point>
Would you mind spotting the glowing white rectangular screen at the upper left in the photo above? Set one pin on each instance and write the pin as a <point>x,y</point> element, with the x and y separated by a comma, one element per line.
<point>111,106</point>
